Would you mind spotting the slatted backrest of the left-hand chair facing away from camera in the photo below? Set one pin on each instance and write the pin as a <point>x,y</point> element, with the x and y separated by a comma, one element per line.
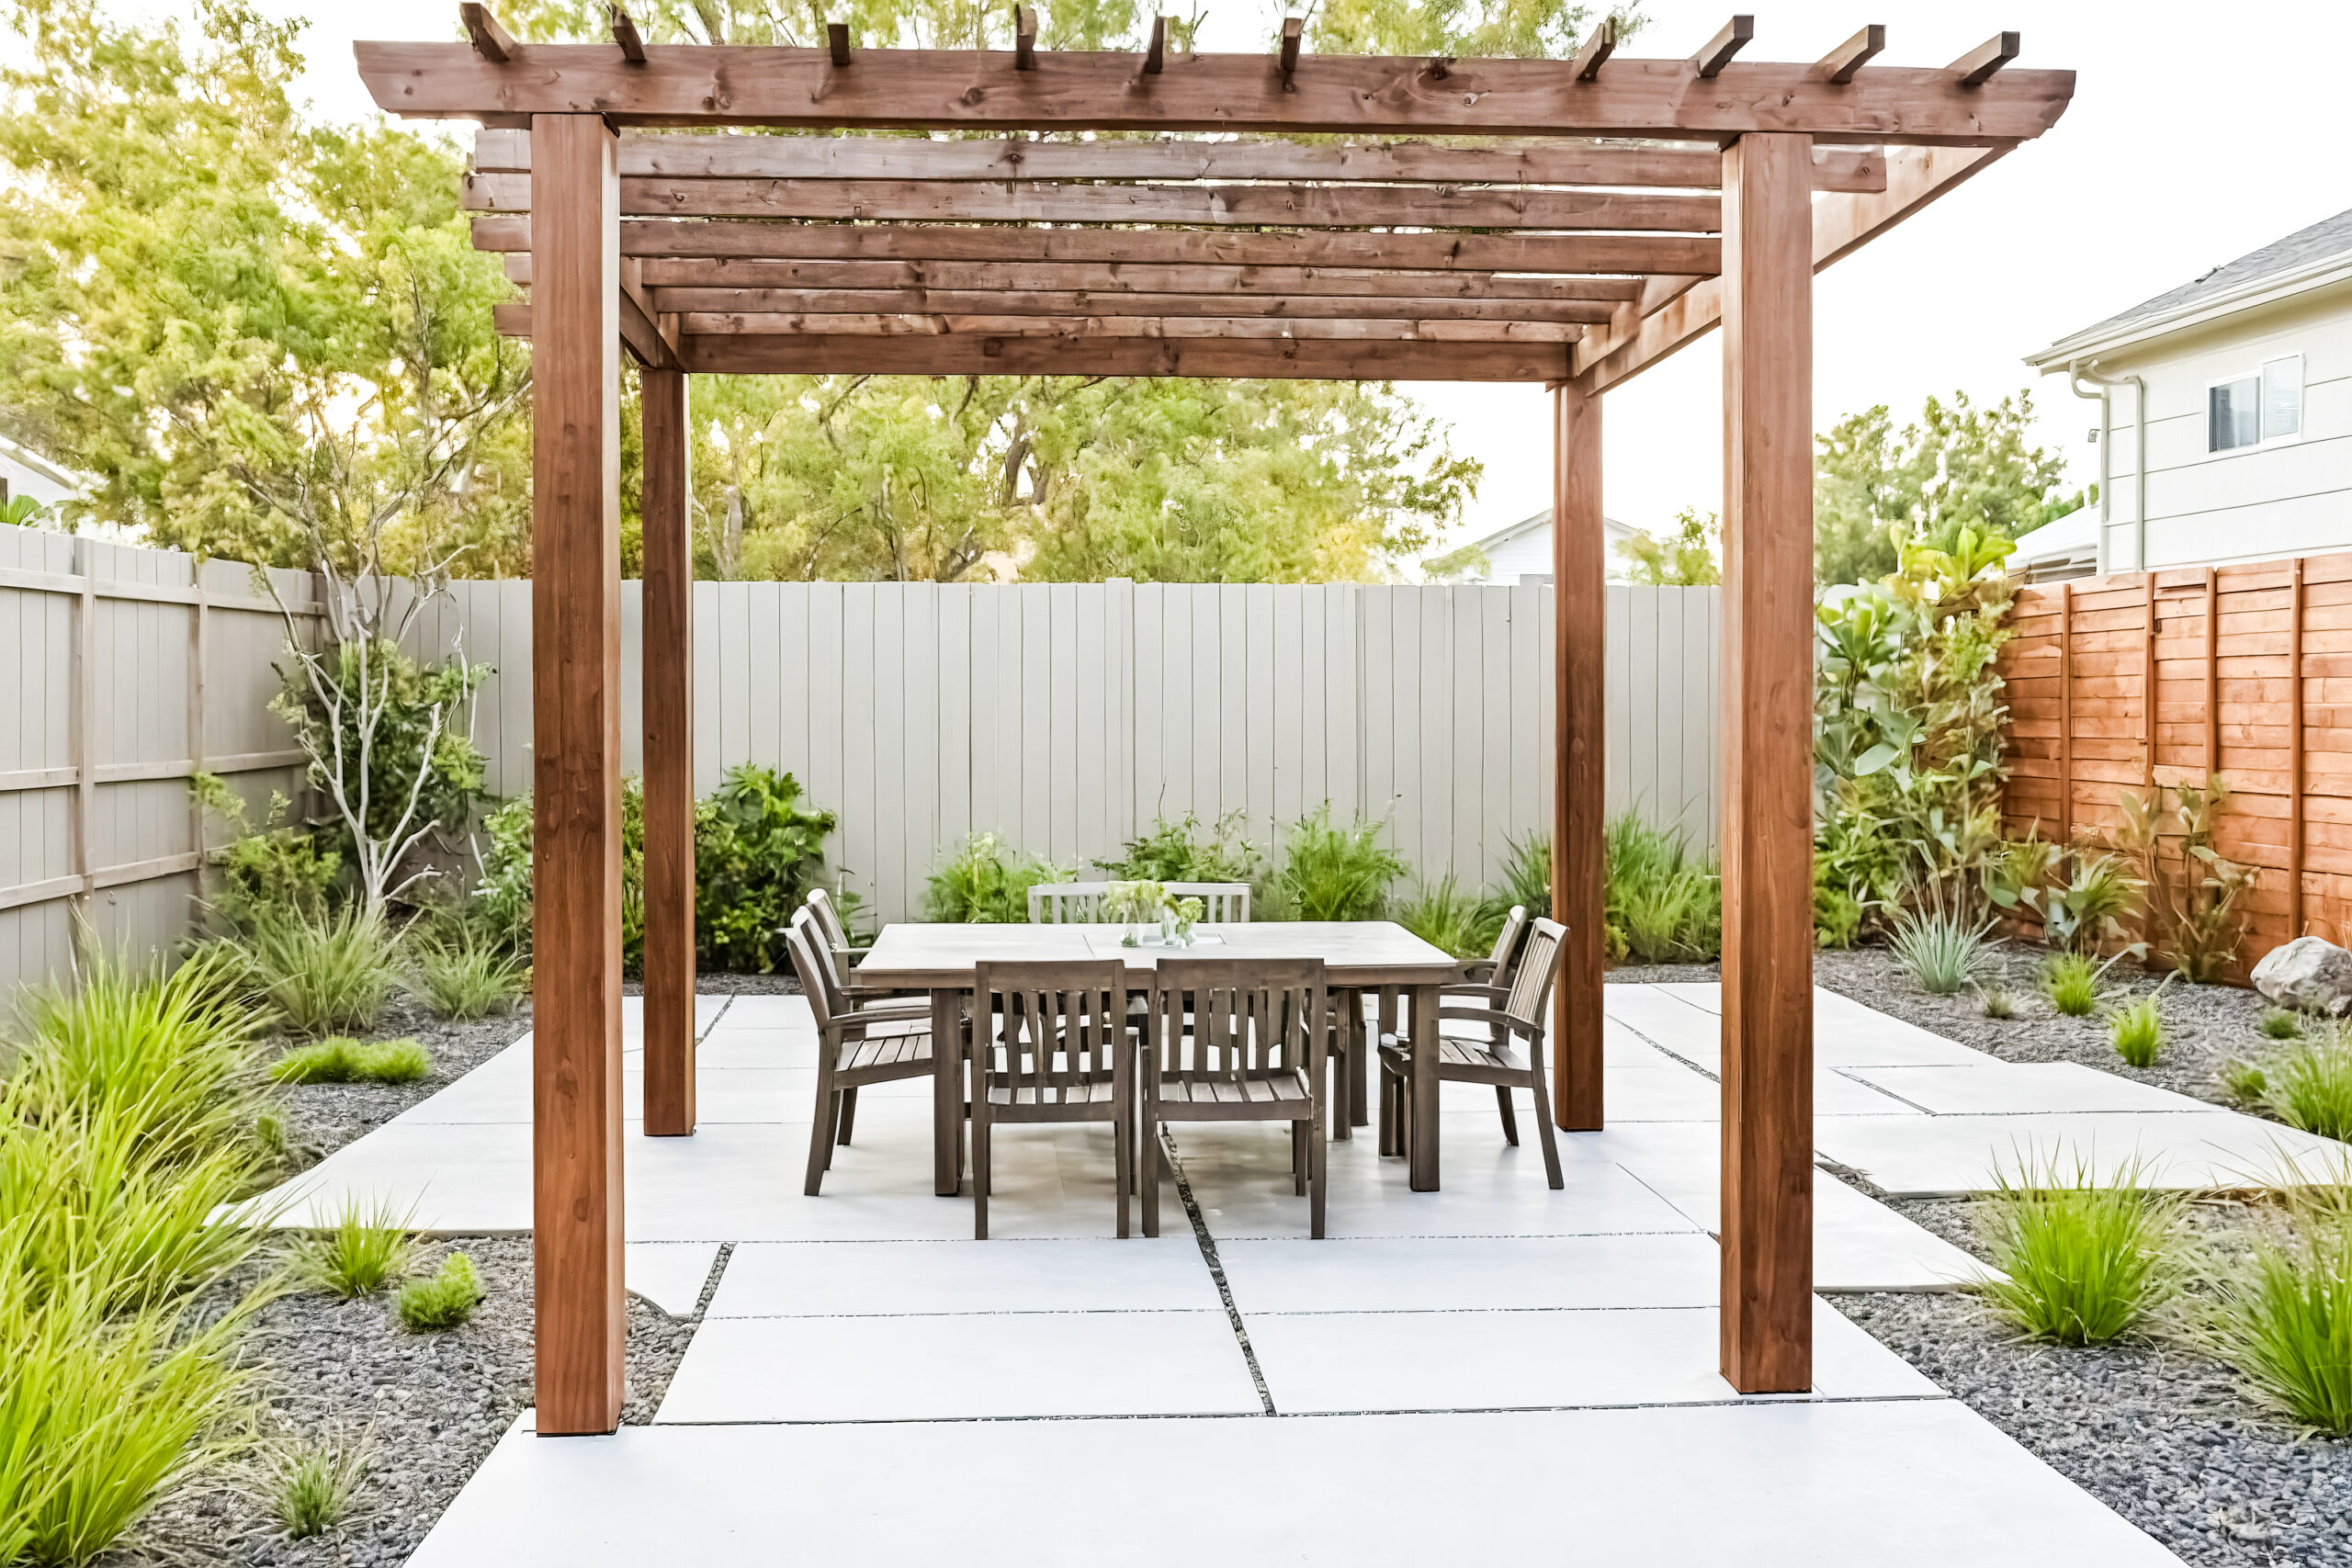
<point>1048,1026</point>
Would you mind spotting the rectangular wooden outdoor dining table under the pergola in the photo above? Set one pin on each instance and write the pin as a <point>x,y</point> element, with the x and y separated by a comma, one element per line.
<point>1372,956</point>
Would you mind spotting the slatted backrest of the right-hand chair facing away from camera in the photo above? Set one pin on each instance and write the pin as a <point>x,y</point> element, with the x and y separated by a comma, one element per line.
<point>1231,1019</point>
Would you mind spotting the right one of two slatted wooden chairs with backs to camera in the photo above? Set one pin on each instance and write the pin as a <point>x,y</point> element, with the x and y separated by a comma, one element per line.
<point>1238,1040</point>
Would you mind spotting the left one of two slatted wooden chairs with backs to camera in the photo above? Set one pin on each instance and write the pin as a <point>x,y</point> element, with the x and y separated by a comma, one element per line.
<point>1050,1045</point>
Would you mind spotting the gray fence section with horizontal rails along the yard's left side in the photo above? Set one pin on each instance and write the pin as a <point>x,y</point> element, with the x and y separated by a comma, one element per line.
<point>128,674</point>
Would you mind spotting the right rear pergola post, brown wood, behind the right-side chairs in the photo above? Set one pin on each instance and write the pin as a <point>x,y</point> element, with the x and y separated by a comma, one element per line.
<point>1579,652</point>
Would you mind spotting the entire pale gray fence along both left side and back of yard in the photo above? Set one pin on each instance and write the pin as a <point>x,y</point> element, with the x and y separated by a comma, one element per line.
<point>1062,718</point>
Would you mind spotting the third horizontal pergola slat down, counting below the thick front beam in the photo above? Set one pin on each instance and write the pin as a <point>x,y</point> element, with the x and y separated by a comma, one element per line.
<point>1681,255</point>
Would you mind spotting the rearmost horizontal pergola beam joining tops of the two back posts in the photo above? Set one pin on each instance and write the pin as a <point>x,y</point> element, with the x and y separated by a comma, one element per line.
<point>1064,356</point>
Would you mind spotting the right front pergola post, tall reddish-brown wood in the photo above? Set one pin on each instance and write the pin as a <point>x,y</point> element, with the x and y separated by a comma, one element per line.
<point>1768,737</point>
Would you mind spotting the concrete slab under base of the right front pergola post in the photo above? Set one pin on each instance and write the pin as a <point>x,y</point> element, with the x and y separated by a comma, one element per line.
<point>1347,1362</point>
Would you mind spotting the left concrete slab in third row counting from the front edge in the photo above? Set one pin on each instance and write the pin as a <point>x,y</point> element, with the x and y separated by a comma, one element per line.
<point>900,1278</point>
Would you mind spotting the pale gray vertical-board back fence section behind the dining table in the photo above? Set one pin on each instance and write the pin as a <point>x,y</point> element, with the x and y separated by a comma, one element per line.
<point>1069,716</point>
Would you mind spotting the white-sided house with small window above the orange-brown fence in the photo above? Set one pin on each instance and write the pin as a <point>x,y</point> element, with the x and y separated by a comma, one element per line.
<point>2226,417</point>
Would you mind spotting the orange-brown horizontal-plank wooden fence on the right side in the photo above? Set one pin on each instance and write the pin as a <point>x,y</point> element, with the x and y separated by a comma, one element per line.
<point>2252,678</point>
